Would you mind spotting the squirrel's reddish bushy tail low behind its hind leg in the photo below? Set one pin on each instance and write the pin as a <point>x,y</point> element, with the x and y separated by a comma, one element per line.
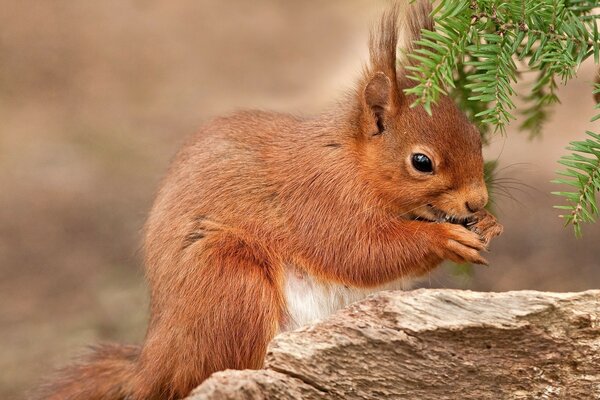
<point>105,374</point>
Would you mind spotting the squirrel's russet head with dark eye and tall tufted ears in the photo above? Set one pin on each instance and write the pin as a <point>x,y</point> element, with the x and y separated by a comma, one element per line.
<point>421,166</point>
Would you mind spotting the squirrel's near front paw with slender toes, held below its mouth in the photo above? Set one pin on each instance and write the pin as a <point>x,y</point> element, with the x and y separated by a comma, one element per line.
<point>462,245</point>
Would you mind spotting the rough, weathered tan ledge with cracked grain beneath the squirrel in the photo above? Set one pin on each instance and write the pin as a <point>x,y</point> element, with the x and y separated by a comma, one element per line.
<point>441,344</point>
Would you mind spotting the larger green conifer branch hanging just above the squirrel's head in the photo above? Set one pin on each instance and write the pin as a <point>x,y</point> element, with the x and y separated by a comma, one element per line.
<point>480,39</point>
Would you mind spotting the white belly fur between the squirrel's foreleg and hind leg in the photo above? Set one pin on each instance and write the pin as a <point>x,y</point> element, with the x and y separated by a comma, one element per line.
<point>309,299</point>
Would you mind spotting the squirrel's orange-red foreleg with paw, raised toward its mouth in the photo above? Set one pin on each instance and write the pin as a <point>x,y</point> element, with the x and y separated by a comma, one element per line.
<point>391,250</point>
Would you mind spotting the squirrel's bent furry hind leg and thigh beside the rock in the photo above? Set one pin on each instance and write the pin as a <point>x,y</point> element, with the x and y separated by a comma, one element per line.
<point>219,312</point>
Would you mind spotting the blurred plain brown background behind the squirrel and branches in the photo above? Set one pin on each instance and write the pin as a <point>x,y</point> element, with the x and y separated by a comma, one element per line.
<point>95,98</point>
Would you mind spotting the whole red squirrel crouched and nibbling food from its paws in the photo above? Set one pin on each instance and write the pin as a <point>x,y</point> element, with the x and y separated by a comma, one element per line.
<point>268,221</point>
